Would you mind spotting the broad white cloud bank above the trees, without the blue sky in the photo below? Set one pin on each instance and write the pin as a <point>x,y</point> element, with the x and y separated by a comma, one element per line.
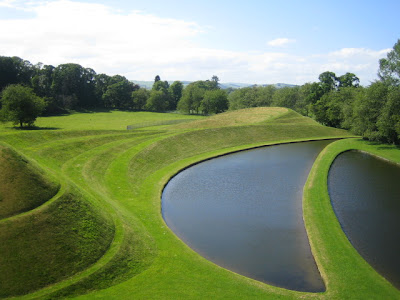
<point>139,46</point>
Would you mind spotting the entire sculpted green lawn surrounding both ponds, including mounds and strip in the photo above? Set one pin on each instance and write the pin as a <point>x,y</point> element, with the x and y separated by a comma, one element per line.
<point>104,229</point>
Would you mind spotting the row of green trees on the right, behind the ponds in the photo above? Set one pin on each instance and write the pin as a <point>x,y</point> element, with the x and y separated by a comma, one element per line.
<point>339,101</point>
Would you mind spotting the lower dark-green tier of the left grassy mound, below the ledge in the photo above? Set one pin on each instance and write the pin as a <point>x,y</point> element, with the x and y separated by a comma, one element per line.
<point>51,243</point>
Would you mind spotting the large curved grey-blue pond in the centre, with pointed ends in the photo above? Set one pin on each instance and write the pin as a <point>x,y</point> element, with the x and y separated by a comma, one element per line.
<point>243,211</point>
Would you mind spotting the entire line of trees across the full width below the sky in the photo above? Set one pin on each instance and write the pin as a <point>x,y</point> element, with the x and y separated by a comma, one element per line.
<point>337,101</point>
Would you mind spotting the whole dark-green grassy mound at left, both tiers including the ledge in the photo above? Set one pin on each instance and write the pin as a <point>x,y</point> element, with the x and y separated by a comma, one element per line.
<point>54,236</point>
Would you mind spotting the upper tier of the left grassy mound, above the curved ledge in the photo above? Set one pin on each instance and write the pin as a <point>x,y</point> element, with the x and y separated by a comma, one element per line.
<point>23,185</point>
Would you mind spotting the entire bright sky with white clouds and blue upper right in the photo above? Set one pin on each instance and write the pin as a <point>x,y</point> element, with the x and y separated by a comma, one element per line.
<point>252,41</point>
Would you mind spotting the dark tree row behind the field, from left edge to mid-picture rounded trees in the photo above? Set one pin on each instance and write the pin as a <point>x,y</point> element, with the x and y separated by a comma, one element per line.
<point>71,86</point>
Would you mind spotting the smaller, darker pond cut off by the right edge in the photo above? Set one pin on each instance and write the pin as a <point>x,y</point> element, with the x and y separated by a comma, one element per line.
<point>365,195</point>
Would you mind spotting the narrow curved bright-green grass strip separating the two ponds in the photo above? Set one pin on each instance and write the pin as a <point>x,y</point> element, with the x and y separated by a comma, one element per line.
<point>346,274</point>
